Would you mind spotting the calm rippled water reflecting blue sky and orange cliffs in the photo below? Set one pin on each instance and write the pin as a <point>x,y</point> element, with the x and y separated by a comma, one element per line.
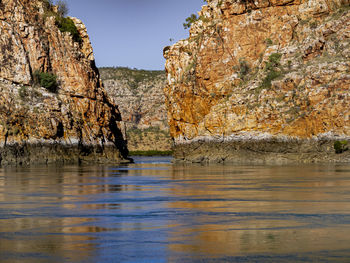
<point>153,211</point>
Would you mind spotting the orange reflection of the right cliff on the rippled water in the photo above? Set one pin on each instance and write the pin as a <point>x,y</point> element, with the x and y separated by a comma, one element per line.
<point>235,210</point>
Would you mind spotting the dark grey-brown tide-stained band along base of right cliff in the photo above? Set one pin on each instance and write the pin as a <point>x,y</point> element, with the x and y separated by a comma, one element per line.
<point>260,151</point>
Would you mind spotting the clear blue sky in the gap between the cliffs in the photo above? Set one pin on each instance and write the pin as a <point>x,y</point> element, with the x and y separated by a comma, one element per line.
<point>133,33</point>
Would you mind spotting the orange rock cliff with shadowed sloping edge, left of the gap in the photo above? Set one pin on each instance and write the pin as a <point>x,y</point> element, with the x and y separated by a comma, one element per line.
<point>52,104</point>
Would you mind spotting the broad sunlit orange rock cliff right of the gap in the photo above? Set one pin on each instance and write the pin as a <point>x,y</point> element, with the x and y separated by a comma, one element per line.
<point>262,81</point>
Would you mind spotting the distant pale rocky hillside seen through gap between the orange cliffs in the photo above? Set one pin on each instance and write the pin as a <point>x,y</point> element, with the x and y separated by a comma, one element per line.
<point>140,98</point>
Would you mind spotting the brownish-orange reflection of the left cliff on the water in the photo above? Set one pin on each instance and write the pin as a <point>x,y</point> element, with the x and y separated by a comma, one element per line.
<point>61,224</point>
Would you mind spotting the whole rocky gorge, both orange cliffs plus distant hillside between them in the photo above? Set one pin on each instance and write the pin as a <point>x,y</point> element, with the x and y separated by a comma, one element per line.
<point>256,81</point>
